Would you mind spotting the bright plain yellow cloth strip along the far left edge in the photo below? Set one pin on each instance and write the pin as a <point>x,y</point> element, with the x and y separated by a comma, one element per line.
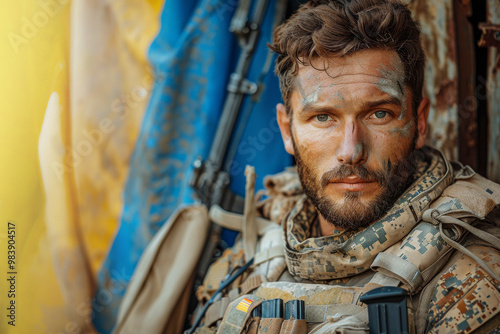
<point>34,64</point>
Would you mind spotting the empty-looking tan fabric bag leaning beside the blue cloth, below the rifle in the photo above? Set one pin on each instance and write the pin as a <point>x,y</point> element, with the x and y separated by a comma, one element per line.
<point>155,301</point>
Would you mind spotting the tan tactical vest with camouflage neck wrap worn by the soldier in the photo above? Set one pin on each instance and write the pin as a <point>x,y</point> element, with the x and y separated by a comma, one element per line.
<point>407,247</point>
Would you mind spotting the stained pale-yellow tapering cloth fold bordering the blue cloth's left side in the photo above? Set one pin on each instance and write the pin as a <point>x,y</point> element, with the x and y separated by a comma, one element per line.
<point>110,86</point>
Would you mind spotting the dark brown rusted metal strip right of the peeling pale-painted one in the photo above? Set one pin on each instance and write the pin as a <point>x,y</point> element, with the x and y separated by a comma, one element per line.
<point>467,104</point>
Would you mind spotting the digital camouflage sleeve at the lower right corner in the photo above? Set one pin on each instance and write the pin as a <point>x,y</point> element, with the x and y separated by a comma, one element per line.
<point>465,298</point>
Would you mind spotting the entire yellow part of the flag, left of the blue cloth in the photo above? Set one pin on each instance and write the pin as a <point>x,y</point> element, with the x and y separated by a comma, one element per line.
<point>90,59</point>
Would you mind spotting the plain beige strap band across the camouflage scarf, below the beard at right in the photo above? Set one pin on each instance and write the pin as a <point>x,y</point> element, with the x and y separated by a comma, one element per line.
<point>395,267</point>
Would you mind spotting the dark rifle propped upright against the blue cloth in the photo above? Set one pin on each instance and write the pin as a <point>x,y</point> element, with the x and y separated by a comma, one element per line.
<point>210,180</point>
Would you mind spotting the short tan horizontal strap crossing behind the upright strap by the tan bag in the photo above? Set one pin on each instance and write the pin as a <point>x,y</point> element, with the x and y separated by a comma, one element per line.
<point>234,221</point>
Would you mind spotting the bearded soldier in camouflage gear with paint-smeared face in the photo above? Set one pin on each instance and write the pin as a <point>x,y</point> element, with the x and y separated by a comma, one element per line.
<point>369,204</point>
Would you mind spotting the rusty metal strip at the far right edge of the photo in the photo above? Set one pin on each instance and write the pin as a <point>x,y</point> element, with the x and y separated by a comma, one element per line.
<point>493,96</point>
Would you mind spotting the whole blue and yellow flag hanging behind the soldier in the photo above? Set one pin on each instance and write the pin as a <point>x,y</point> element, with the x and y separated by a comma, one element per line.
<point>106,106</point>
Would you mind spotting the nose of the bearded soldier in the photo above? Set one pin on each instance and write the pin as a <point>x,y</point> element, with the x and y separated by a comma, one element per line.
<point>352,150</point>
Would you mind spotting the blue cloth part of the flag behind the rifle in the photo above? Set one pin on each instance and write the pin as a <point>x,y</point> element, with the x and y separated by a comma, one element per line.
<point>192,56</point>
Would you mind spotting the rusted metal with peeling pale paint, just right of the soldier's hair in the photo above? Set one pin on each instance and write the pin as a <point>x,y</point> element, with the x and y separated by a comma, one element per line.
<point>441,82</point>
